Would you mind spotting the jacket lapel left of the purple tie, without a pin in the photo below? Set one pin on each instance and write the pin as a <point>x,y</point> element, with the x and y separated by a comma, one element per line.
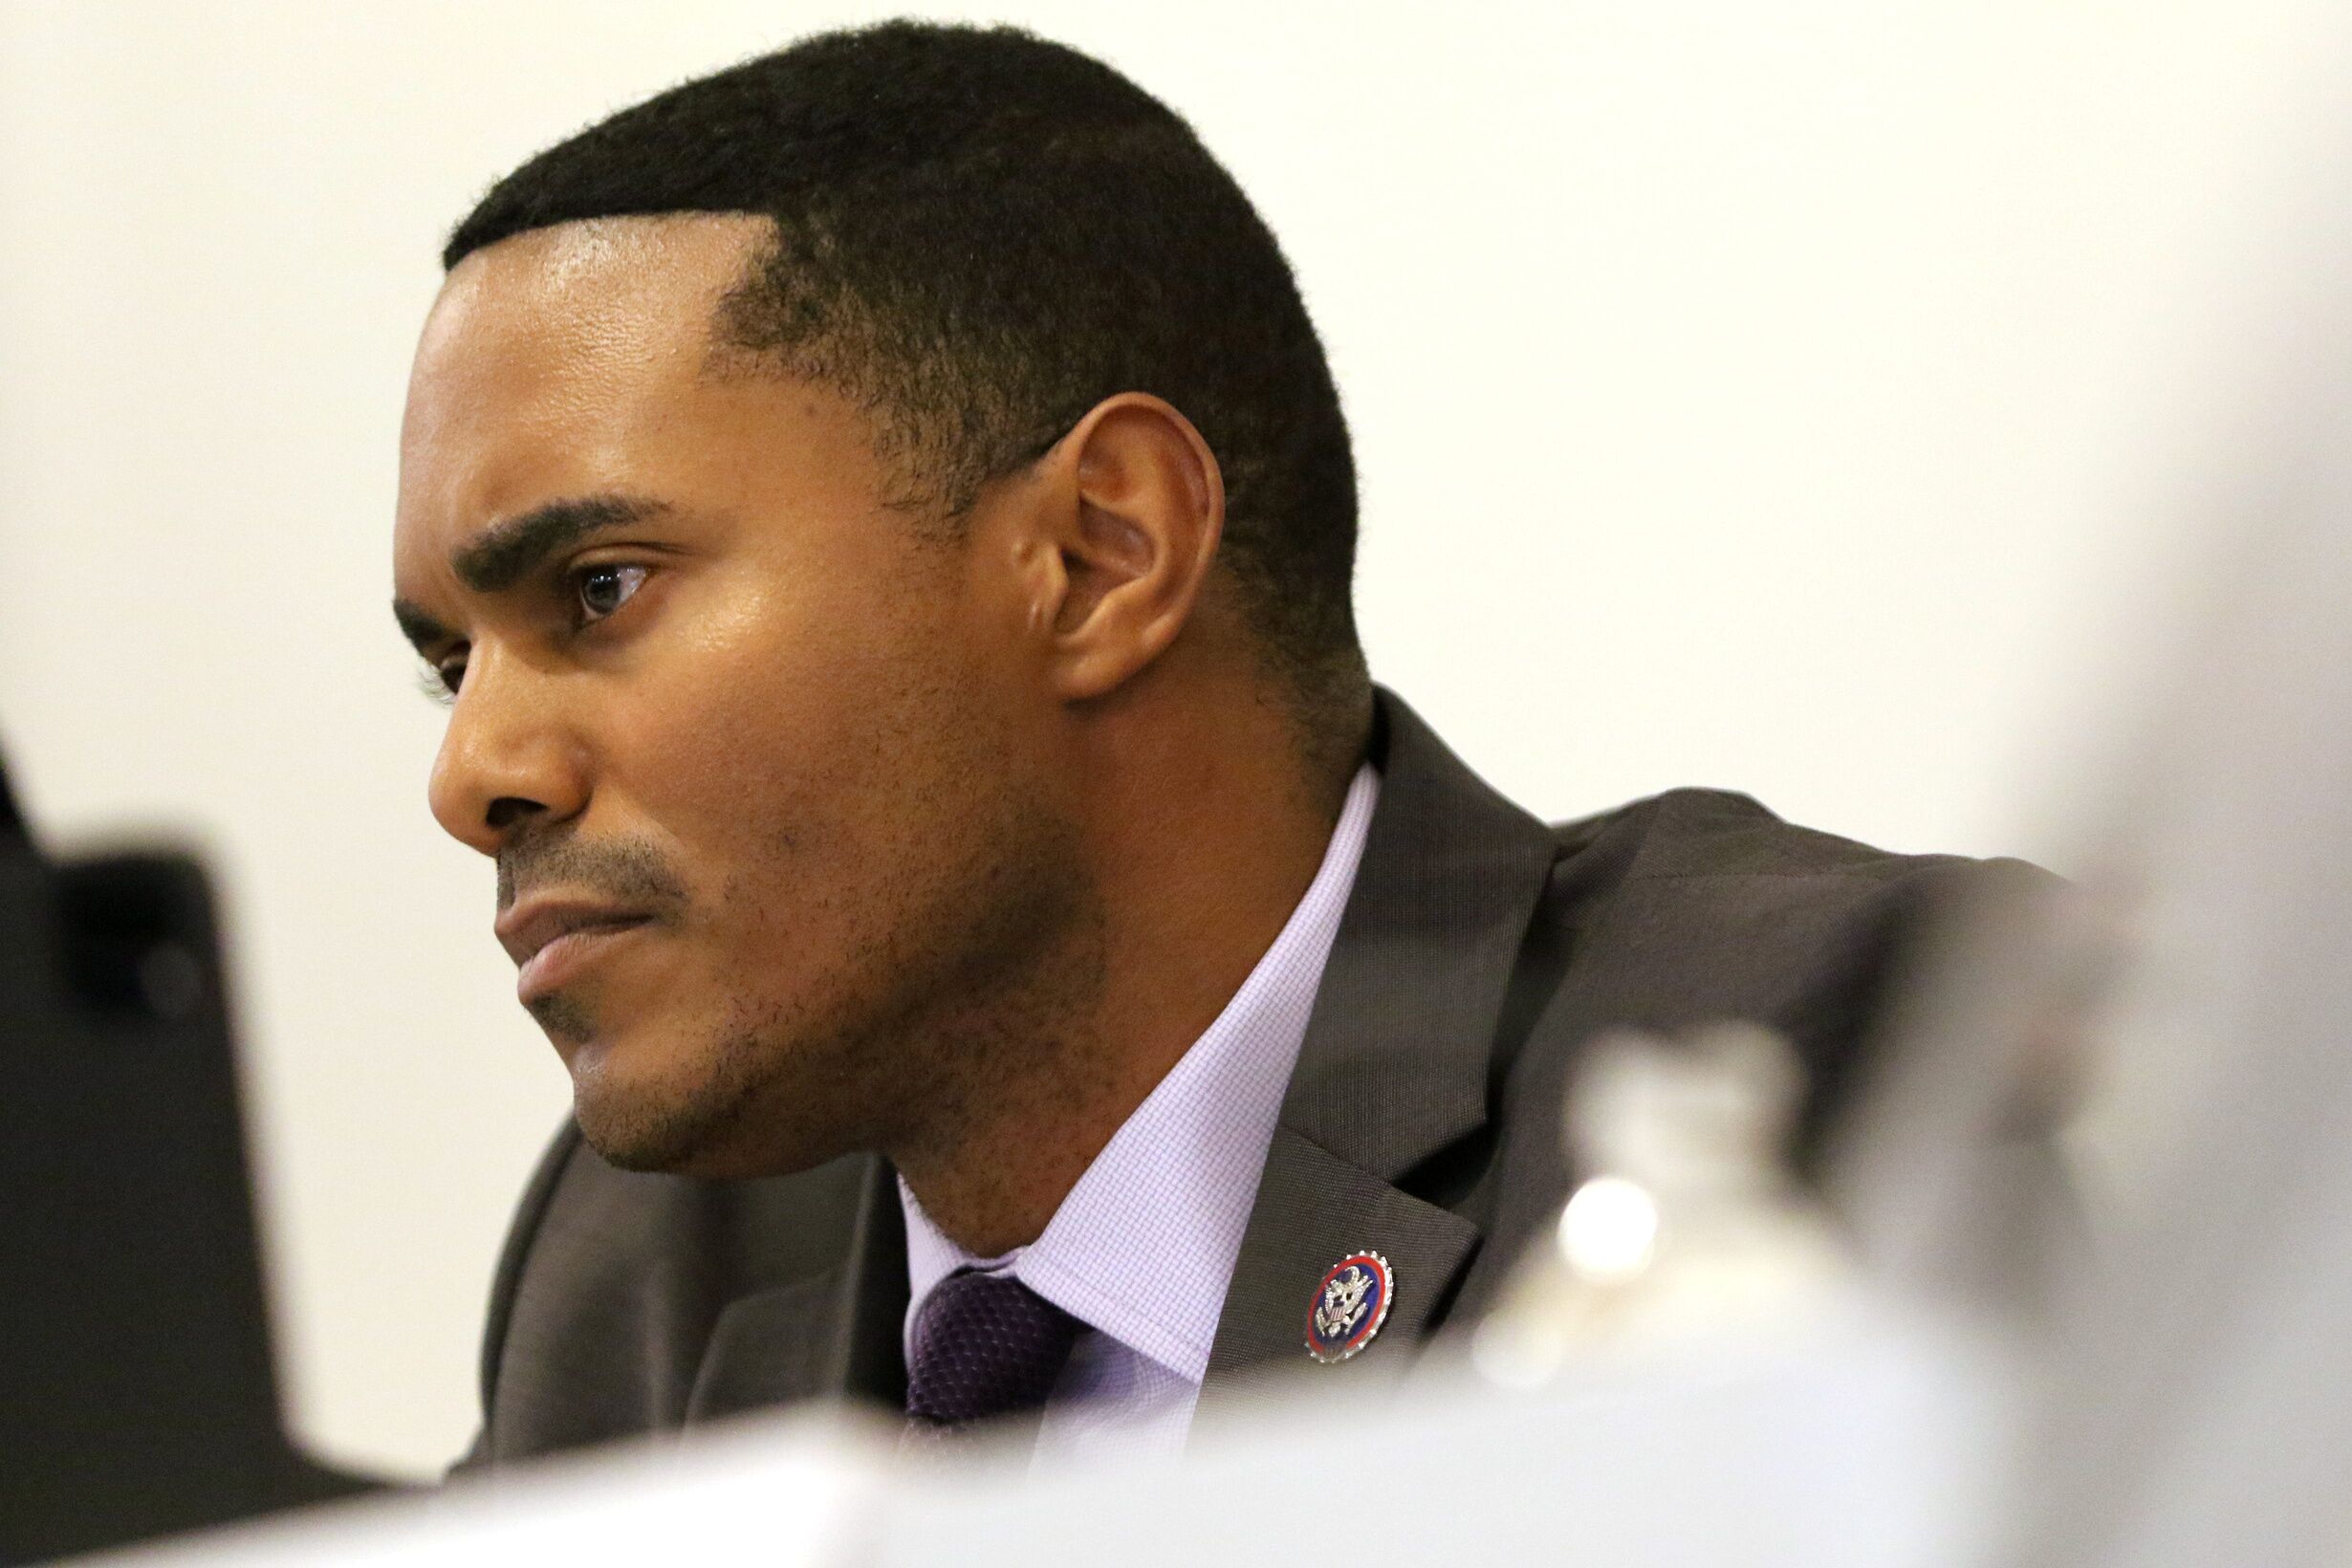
<point>829,1336</point>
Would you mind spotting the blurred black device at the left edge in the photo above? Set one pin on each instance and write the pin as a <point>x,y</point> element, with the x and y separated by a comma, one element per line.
<point>138,1391</point>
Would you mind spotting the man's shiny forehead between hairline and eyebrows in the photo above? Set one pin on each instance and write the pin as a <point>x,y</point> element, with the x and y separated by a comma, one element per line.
<point>554,354</point>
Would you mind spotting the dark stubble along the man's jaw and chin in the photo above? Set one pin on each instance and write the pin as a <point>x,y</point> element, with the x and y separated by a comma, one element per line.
<point>968,979</point>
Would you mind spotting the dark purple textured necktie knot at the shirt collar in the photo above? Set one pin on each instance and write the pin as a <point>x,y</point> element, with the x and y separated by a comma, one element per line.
<point>984,1346</point>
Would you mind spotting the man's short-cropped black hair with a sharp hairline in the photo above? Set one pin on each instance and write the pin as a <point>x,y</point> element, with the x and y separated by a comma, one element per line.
<point>980,236</point>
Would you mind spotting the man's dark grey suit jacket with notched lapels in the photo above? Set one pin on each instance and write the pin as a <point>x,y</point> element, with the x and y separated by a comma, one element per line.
<point>1478,953</point>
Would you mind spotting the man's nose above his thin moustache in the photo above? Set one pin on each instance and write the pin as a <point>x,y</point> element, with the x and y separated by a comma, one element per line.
<point>509,756</point>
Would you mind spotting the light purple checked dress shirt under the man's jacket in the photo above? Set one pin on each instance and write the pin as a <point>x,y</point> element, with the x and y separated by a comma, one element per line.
<point>1144,1245</point>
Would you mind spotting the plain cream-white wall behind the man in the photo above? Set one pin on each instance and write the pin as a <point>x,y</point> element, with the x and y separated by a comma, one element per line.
<point>1808,398</point>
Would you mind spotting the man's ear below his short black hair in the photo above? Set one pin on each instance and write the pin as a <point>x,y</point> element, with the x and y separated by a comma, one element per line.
<point>1137,511</point>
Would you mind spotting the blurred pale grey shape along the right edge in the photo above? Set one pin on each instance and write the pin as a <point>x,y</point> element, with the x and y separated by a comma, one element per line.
<point>2203,1398</point>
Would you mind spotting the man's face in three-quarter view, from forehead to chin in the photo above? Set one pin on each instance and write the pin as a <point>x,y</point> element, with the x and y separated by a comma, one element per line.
<point>754,753</point>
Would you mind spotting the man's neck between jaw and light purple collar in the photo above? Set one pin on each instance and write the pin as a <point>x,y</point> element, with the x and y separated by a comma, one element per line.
<point>1203,836</point>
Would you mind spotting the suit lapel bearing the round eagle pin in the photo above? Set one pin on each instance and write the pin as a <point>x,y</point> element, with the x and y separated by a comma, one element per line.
<point>1396,1059</point>
